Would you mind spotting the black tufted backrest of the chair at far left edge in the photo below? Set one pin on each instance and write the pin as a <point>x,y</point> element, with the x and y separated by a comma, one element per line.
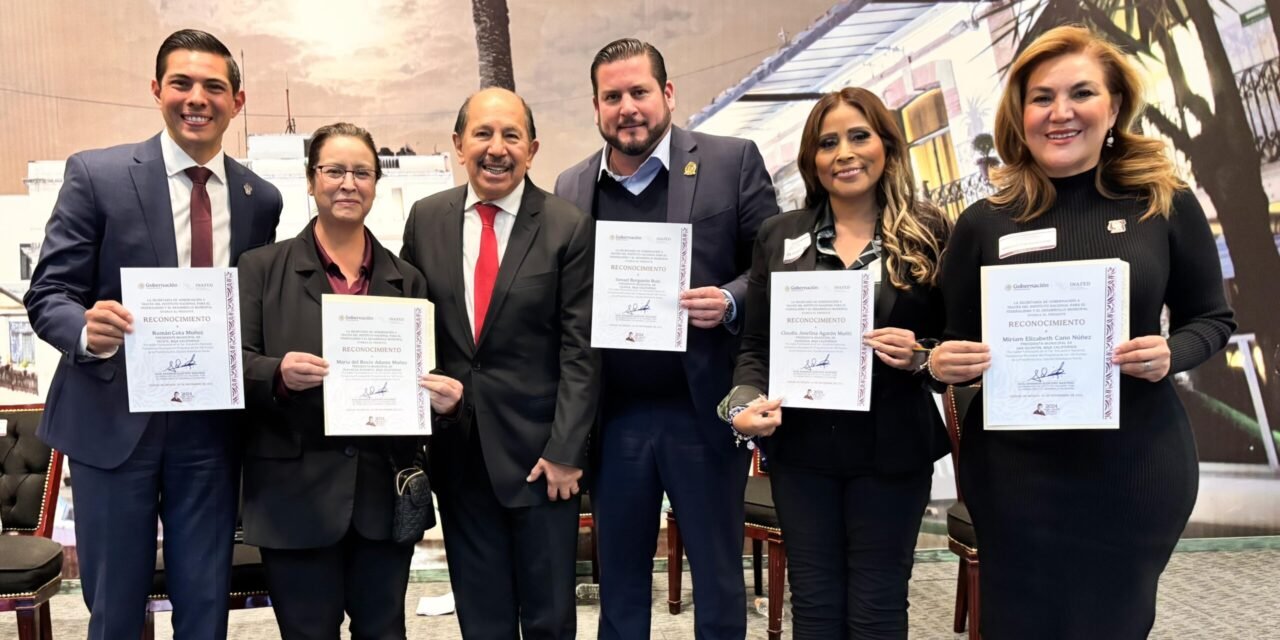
<point>30,474</point>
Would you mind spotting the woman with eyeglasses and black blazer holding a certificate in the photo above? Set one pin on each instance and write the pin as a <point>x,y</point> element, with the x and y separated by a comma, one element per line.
<point>321,508</point>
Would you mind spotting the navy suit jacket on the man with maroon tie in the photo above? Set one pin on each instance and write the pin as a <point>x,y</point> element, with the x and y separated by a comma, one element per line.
<point>115,212</point>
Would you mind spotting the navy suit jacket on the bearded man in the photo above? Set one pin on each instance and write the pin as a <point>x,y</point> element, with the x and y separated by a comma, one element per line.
<point>720,186</point>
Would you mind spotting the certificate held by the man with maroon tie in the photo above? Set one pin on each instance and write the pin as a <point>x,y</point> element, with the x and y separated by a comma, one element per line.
<point>185,351</point>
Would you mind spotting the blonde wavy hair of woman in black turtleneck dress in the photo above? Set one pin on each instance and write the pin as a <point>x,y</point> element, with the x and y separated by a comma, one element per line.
<point>1135,164</point>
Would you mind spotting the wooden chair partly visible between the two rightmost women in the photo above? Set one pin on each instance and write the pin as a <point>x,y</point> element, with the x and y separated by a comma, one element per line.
<point>961,536</point>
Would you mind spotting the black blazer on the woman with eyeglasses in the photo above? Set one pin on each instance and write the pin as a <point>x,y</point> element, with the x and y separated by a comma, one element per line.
<point>303,490</point>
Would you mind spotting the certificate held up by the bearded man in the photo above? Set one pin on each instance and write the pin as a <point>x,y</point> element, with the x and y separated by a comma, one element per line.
<point>641,269</point>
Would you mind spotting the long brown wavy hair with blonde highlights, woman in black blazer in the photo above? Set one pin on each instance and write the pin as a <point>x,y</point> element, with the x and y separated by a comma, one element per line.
<point>913,231</point>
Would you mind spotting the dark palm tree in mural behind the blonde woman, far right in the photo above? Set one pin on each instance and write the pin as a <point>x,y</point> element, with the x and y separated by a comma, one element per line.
<point>1212,131</point>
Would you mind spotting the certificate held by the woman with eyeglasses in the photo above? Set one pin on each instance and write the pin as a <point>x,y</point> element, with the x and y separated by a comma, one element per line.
<point>377,348</point>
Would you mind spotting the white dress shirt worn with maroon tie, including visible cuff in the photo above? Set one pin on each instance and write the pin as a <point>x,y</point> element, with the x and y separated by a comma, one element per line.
<point>176,164</point>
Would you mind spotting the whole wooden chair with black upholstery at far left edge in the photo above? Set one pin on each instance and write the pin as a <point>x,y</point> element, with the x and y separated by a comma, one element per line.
<point>31,563</point>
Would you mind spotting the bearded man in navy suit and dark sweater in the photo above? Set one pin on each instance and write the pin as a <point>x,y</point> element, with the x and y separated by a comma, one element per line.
<point>660,431</point>
